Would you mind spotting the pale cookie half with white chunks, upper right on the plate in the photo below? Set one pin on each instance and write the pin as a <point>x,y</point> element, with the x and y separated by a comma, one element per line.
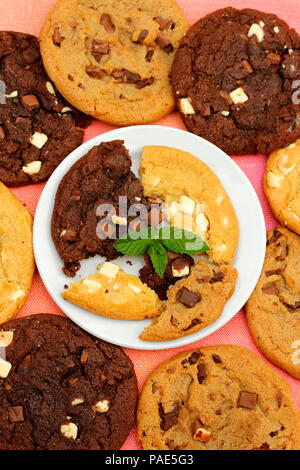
<point>194,198</point>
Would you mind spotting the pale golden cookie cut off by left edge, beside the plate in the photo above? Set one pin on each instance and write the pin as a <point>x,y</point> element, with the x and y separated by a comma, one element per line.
<point>16,254</point>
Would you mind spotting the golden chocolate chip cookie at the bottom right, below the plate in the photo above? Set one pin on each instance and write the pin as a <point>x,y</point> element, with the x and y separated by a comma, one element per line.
<point>217,398</point>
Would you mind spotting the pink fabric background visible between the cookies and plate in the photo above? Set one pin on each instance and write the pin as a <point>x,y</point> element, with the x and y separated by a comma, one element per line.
<point>28,16</point>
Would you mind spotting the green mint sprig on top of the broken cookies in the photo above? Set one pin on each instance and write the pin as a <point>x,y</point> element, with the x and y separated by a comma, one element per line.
<point>156,243</point>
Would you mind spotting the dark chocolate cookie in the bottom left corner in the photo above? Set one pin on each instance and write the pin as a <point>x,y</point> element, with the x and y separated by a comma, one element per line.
<point>62,389</point>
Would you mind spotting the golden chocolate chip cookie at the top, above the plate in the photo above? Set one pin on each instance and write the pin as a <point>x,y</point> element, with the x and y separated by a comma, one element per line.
<point>119,56</point>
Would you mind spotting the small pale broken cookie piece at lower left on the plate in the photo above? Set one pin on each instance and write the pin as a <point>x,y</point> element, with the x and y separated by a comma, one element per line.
<point>113,293</point>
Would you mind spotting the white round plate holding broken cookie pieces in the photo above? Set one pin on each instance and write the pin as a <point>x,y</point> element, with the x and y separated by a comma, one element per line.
<point>249,257</point>
